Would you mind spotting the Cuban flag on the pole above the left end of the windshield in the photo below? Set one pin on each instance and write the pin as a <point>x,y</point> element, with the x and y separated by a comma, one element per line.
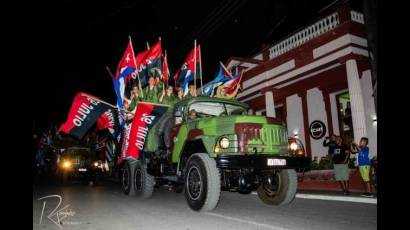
<point>186,74</point>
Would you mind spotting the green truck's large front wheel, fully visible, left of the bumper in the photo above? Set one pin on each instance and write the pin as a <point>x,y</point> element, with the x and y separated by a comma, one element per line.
<point>202,183</point>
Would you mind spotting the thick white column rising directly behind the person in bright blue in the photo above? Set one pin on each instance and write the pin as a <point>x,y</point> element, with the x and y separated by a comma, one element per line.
<point>356,100</point>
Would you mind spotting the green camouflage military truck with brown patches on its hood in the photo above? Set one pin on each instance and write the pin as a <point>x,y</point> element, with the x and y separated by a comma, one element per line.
<point>204,145</point>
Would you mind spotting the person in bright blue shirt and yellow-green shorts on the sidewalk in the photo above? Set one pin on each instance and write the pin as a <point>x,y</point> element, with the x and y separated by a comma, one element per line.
<point>364,162</point>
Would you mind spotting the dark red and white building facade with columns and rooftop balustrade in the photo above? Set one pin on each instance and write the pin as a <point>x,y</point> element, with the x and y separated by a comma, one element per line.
<point>318,80</point>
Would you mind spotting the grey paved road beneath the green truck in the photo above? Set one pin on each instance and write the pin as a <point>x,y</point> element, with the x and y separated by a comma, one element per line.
<point>106,207</point>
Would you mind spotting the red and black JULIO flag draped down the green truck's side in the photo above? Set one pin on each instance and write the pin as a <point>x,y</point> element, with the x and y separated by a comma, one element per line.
<point>146,116</point>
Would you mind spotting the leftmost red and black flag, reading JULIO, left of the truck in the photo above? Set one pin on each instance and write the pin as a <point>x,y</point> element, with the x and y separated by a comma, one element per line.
<point>84,112</point>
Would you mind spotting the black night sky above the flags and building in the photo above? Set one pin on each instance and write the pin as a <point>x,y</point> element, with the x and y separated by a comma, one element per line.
<point>79,38</point>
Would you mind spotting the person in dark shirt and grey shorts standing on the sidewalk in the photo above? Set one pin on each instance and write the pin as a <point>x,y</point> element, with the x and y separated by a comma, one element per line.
<point>340,159</point>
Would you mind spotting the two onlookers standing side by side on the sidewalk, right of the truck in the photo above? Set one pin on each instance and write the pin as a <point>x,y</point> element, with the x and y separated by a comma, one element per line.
<point>340,155</point>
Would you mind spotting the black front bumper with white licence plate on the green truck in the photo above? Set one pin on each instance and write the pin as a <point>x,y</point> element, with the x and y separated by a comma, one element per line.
<point>263,162</point>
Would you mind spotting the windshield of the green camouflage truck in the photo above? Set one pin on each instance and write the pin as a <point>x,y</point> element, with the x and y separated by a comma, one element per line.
<point>208,109</point>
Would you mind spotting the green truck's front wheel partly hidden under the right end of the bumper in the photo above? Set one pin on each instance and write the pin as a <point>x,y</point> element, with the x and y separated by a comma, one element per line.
<point>285,192</point>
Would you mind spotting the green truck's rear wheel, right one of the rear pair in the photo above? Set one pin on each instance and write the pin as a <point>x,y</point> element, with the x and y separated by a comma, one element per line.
<point>143,182</point>
